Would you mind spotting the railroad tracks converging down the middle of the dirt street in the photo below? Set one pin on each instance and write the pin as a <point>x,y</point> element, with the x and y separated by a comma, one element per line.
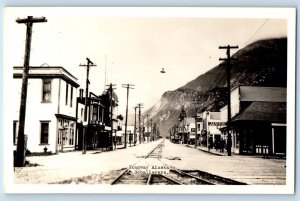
<point>168,176</point>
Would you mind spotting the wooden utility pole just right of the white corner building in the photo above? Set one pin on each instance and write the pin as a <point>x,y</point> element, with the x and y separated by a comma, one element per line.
<point>85,121</point>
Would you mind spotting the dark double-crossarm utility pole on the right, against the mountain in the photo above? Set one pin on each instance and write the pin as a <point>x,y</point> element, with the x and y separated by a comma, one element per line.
<point>228,70</point>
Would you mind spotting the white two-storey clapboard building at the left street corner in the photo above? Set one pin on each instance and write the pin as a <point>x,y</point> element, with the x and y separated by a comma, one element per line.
<point>50,121</point>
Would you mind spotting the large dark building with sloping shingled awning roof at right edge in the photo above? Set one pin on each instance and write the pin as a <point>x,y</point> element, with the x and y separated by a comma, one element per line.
<point>258,120</point>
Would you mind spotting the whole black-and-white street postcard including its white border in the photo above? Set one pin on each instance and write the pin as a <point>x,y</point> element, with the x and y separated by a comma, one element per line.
<point>149,100</point>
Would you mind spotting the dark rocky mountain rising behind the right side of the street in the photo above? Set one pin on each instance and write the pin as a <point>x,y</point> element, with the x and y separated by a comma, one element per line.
<point>262,63</point>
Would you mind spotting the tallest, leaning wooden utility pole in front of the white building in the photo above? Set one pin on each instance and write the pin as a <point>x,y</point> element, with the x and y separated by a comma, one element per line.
<point>21,148</point>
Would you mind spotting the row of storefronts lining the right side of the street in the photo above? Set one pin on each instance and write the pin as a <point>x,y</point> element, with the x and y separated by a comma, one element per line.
<point>258,123</point>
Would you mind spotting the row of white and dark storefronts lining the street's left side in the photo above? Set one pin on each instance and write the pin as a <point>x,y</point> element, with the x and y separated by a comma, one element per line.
<point>55,112</point>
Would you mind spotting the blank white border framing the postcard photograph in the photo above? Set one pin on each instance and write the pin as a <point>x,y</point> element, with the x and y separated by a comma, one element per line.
<point>197,12</point>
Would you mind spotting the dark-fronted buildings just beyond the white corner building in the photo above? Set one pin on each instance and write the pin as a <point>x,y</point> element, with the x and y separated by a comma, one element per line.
<point>102,121</point>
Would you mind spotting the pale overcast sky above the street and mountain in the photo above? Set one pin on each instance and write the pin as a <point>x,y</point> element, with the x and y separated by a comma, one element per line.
<point>132,49</point>
